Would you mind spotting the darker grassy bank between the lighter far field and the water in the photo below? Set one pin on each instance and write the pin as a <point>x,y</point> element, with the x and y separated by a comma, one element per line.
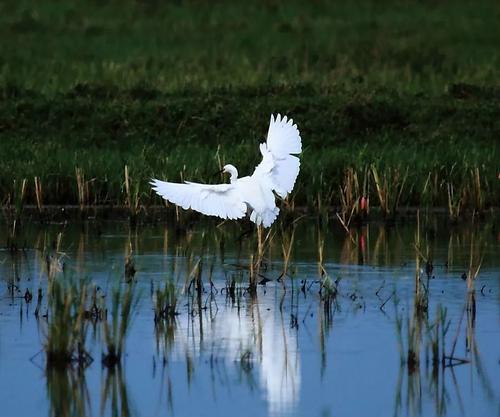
<point>186,135</point>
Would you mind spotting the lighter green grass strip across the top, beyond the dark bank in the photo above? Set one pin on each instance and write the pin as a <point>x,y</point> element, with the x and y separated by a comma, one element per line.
<point>51,46</point>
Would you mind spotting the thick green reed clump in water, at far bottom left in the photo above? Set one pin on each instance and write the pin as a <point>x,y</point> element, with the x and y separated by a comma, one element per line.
<point>67,326</point>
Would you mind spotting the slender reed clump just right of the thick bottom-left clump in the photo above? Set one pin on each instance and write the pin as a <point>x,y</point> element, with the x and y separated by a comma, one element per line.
<point>116,327</point>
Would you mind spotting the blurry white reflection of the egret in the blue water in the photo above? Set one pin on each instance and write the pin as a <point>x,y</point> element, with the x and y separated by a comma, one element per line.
<point>258,339</point>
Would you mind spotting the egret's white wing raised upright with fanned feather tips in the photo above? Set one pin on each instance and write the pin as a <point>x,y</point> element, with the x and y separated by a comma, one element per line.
<point>279,167</point>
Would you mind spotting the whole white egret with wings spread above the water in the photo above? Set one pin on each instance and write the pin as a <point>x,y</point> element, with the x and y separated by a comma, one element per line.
<point>276,172</point>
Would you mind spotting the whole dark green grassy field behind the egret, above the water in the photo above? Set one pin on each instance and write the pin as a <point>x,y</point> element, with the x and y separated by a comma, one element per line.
<point>171,89</point>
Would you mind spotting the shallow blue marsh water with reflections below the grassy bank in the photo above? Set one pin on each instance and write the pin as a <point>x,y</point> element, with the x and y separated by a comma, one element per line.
<point>279,352</point>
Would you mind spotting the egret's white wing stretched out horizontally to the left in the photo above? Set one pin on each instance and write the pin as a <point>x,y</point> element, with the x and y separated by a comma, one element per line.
<point>222,200</point>
